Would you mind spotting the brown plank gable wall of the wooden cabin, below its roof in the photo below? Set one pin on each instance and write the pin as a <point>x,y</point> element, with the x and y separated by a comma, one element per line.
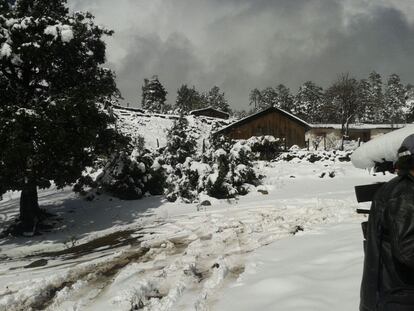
<point>273,123</point>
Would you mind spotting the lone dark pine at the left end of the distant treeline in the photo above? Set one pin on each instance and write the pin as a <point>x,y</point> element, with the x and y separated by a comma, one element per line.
<point>153,95</point>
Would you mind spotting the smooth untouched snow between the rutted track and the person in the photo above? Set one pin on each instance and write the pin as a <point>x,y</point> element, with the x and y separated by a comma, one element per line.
<point>314,271</point>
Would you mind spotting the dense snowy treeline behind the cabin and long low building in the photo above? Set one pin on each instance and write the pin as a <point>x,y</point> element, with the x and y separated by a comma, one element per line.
<point>347,100</point>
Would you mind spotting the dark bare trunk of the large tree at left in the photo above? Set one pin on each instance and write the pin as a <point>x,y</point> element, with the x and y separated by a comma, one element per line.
<point>29,207</point>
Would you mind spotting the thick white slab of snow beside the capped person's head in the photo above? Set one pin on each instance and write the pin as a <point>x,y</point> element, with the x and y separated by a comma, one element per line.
<point>383,148</point>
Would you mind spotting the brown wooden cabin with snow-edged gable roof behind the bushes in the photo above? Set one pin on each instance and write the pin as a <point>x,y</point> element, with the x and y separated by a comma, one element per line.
<point>271,121</point>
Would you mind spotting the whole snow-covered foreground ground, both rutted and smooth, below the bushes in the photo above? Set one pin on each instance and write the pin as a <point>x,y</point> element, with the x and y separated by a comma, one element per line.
<point>298,247</point>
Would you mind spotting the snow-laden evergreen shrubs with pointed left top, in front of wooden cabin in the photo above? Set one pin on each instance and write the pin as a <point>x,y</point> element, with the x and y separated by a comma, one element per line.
<point>222,171</point>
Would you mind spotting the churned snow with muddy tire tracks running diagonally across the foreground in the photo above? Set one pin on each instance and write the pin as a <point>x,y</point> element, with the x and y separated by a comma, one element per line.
<point>196,254</point>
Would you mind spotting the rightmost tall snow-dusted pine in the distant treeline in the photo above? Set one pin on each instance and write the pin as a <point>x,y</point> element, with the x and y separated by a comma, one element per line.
<point>395,100</point>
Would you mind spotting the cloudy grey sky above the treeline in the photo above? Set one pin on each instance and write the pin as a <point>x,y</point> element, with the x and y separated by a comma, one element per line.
<point>242,44</point>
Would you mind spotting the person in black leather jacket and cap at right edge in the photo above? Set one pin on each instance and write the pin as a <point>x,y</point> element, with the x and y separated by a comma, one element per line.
<point>388,276</point>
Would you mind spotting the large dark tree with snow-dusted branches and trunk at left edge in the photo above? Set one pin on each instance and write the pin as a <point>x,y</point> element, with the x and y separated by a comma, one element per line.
<point>51,80</point>
